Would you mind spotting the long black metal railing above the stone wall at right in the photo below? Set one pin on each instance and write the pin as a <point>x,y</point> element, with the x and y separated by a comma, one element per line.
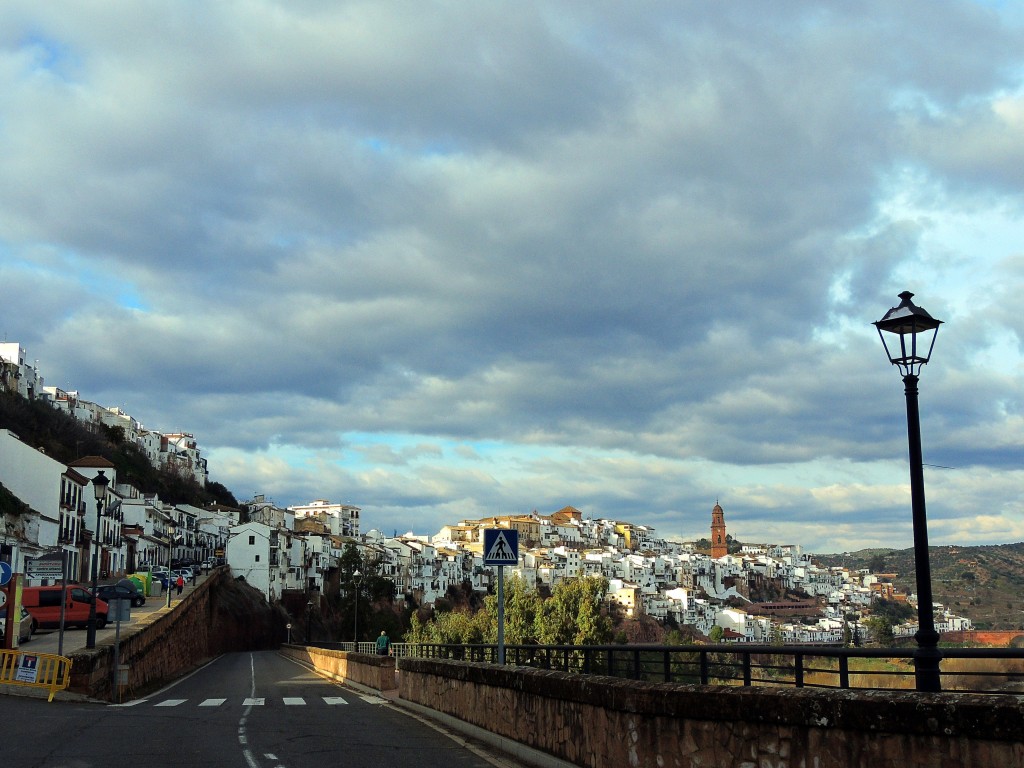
<point>963,670</point>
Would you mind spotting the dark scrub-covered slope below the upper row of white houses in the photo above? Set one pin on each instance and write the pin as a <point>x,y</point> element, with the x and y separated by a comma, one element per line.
<point>65,440</point>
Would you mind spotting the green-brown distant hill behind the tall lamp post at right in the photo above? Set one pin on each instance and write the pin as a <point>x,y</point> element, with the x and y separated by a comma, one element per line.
<point>986,584</point>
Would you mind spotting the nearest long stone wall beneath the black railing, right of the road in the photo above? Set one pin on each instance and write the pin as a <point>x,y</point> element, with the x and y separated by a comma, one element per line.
<point>609,722</point>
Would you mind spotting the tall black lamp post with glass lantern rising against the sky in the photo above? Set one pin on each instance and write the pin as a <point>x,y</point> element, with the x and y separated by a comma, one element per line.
<point>909,323</point>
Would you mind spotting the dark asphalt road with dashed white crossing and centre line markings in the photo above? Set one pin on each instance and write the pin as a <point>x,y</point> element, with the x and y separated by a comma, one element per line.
<point>254,710</point>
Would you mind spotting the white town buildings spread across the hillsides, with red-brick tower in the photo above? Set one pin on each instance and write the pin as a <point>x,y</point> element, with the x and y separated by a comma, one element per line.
<point>283,551</point>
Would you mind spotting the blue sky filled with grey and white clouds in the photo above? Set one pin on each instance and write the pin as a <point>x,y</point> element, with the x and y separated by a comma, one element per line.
<point>453,260</point>
